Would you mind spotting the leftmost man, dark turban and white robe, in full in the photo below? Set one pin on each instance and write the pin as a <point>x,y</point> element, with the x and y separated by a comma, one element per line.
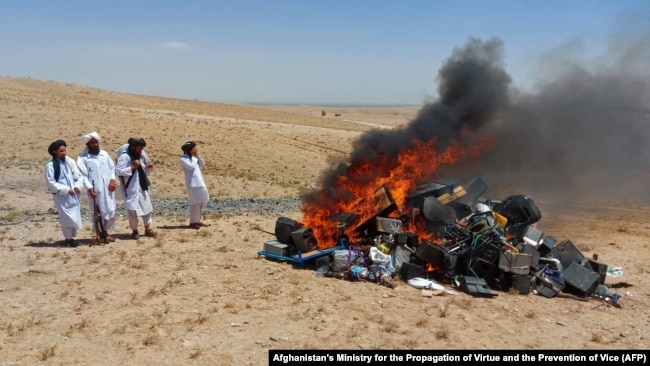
<point>64,182</point>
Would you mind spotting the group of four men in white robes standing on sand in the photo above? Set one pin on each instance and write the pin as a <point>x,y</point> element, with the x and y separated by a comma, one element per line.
<point>96,171</point>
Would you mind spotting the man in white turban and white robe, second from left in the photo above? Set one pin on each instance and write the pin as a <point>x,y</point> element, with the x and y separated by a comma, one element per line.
<point>98,170</point>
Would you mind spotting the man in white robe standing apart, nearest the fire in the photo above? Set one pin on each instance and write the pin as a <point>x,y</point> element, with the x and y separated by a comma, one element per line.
<point>191,162</point>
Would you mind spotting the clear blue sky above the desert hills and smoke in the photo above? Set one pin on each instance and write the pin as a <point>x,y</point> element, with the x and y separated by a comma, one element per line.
<point>353,52</point>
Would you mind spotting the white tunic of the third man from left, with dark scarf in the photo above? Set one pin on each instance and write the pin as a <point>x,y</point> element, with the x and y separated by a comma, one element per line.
<point>135,199</point>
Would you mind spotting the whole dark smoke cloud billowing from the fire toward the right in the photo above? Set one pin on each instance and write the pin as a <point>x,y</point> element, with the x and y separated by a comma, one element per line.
<point>580,136</point>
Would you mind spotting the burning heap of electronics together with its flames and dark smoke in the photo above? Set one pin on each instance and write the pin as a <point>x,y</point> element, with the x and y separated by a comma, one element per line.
<point>383,208</point>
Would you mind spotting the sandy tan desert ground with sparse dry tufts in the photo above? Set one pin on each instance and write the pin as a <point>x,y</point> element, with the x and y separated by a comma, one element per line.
<point>206,296</point>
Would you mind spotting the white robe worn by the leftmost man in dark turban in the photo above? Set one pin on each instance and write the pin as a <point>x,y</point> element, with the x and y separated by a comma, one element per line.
<point>68,206</point>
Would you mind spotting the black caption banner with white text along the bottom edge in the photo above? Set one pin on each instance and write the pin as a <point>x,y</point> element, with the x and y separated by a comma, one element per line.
<point>424,357</point>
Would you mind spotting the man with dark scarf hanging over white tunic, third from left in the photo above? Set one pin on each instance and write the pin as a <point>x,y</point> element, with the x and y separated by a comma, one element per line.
<point>133,167</point>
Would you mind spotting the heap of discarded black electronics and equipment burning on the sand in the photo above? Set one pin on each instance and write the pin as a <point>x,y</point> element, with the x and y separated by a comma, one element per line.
<point>449,234</point>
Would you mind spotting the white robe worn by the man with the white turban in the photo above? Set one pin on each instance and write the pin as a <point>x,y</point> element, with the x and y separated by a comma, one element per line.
<point>97,171</point>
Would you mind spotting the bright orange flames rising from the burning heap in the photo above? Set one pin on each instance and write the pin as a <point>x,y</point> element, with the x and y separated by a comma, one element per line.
<point>355,190</point>
